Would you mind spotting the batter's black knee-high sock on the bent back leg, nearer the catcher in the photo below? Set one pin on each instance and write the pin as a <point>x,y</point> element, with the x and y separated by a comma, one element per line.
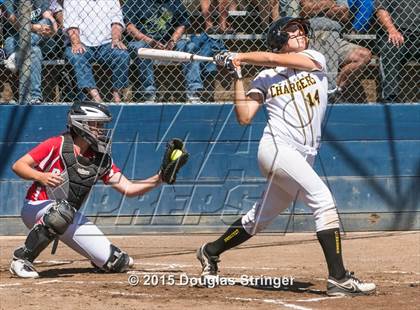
<point>234,235</point>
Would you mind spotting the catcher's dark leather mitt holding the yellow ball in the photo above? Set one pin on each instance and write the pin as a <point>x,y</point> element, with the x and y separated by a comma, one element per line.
<point>174,158</point>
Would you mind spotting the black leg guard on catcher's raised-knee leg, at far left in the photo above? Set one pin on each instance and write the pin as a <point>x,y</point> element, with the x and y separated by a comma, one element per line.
<point>54,222</point>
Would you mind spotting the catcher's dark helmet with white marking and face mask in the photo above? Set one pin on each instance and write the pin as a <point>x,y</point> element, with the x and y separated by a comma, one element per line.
<point>89,120</point>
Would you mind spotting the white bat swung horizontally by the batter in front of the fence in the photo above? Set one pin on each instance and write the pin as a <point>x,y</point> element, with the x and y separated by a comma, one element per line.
<point>176,56</point>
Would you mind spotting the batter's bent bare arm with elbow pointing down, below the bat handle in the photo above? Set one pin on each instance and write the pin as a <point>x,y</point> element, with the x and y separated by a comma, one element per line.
<point>245,106</point>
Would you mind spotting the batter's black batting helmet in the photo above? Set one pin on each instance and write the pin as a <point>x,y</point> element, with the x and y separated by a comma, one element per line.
<point>277,37</point>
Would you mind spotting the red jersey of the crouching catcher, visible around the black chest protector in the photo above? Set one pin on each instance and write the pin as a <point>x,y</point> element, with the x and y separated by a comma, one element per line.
<point>47,157</point>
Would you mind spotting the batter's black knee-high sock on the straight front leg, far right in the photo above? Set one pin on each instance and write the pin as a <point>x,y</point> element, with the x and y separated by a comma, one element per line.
<point>331,245</point>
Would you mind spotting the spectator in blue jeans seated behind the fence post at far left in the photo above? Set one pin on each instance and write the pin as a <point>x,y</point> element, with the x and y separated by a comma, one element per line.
<point>43,25</point>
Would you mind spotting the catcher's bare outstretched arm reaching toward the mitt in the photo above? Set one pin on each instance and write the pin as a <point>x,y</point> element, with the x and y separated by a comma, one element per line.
<point>133,188</point>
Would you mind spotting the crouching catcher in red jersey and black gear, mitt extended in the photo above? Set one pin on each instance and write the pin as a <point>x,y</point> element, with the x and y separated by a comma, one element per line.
<point>64,169</point>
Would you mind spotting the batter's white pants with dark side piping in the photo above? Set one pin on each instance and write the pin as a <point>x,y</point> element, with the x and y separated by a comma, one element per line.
<point>290,175</point>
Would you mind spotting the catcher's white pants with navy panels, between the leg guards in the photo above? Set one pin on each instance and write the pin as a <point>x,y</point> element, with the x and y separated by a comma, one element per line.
<point>82,235</point>
